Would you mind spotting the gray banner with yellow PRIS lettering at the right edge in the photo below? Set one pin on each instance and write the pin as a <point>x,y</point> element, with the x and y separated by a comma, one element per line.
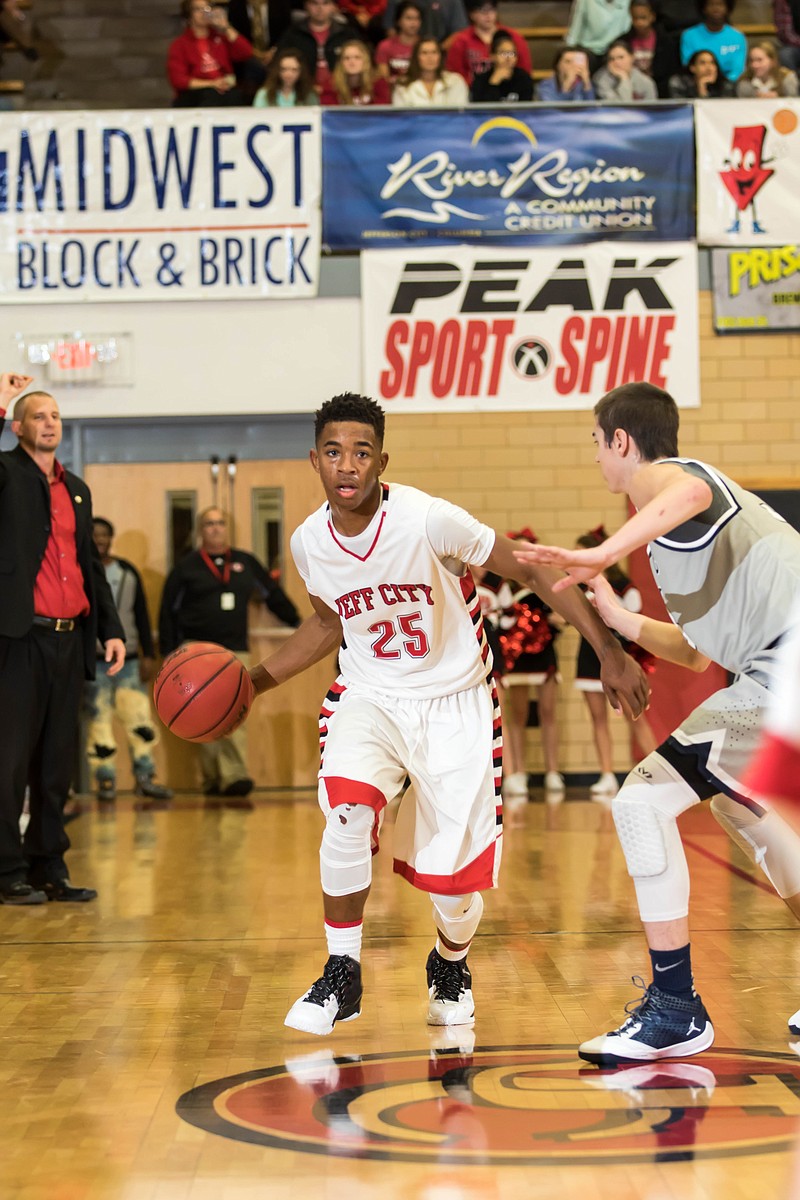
<point>756,290</point>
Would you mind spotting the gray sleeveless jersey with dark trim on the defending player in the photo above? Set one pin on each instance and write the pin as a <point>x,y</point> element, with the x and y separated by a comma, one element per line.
<point>731,577</point>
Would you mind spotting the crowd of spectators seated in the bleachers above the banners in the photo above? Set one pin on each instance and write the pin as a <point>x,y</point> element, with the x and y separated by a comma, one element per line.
<point>437,53</point>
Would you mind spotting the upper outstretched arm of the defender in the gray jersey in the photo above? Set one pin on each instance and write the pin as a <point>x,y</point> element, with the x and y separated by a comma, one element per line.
<point>671,496</point>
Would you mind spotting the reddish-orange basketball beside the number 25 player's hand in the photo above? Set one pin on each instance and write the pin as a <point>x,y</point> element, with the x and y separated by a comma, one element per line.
<point>203,692</point>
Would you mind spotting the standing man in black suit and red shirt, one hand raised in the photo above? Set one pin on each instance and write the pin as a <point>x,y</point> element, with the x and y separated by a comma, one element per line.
<point>57,604</point>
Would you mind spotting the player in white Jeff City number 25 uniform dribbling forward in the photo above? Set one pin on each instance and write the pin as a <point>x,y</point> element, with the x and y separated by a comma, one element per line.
<point>386,567</point>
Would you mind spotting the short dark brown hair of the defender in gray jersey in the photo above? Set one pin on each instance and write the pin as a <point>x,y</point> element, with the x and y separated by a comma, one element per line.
<point>648,415</point>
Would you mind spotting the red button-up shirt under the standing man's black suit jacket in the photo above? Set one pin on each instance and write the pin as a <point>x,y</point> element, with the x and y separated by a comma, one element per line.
<point>59,589</point>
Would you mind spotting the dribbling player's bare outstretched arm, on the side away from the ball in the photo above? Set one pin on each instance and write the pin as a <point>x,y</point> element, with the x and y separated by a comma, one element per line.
<point>624,681</point>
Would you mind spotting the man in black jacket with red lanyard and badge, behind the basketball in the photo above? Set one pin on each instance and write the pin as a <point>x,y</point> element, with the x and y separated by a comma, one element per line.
<point>206,601</point>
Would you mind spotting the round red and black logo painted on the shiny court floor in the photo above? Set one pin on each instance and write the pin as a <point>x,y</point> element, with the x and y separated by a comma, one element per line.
<point>508,1106</point>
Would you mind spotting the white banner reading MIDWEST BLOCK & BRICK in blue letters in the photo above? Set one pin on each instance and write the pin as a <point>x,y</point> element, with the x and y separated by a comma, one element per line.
<point>167,206</point>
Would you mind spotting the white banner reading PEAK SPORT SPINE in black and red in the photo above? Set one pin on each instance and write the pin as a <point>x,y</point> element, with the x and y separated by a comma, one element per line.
<point>461,329</point>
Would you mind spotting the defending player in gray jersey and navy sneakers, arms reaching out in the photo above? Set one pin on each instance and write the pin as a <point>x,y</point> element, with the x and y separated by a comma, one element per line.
<point>729,569</point>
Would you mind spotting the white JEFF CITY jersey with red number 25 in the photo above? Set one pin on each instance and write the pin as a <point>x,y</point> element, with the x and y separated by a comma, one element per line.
<point>412,625</point>
